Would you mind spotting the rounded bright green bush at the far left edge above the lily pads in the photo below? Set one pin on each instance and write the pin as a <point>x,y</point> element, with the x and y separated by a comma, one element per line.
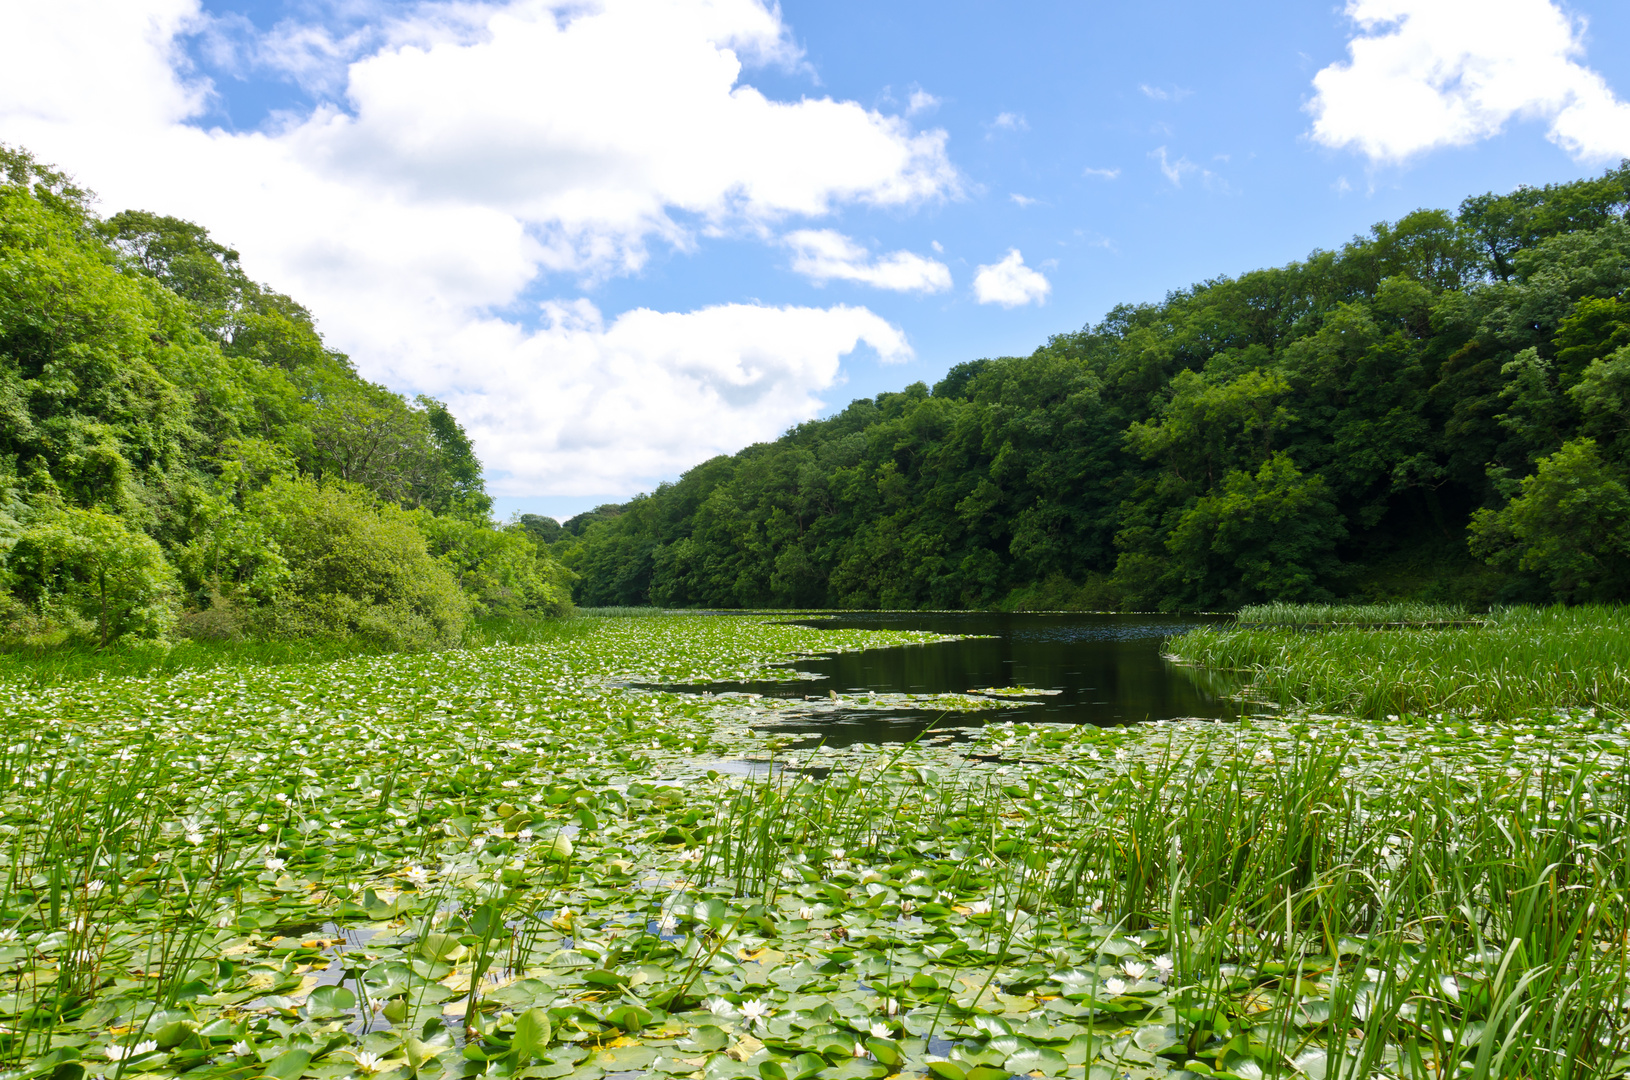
<point>86,576</point>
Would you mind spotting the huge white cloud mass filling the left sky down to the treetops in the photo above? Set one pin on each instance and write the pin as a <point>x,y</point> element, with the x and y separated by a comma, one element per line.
<point>474,152</point>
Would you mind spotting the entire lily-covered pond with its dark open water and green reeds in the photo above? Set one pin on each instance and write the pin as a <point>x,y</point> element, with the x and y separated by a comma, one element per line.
<point>809,846</point>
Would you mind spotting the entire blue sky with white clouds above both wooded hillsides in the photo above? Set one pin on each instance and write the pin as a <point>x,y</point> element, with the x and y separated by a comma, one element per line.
<point>731,266</point>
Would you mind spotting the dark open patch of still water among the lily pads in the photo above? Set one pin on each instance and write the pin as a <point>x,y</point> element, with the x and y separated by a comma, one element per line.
<point>1108,670</point>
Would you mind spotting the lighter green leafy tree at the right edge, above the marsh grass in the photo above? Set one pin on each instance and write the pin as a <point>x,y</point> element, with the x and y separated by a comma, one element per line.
<point>1569,525</point>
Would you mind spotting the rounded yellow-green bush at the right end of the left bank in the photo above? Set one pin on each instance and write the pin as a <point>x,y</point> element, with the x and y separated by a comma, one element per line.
<point>350,568</point>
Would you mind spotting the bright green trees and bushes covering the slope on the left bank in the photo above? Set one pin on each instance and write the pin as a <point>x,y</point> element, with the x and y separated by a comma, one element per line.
<point>180,454</point>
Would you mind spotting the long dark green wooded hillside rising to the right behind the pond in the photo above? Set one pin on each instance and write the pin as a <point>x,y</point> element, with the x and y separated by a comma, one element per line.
<point>1434,411</point>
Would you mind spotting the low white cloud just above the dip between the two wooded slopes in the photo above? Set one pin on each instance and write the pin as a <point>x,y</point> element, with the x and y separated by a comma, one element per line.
<point>586,406</point>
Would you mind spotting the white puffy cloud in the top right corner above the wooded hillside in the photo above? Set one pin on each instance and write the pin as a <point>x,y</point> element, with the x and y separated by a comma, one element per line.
<point>1429,74</point>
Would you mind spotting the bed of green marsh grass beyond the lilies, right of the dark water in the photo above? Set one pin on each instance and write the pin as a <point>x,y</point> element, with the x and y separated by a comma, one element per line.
<point>1520,662</point>
